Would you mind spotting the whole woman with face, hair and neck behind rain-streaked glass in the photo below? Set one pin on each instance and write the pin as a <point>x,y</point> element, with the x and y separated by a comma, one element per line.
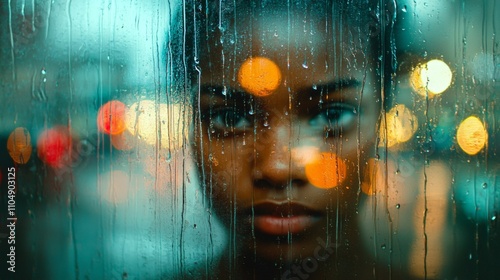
<point>287,100</point>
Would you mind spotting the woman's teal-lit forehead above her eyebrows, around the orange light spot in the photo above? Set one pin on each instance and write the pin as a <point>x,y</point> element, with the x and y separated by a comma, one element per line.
<point>302,41</point>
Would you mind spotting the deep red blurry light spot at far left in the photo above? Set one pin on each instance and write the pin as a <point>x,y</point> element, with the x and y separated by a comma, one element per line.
<point>54,146</point>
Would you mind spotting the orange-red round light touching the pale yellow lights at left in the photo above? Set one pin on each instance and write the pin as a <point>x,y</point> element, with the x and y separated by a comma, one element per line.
<point>111,117</point>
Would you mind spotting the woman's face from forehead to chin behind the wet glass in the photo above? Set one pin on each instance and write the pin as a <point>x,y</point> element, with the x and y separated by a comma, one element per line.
<point>289,110</point>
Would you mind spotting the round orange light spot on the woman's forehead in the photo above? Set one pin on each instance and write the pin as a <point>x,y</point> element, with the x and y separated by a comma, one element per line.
<point>259,76</point>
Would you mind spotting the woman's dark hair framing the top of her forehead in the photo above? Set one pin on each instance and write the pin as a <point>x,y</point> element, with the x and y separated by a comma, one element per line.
<point>202,20</point>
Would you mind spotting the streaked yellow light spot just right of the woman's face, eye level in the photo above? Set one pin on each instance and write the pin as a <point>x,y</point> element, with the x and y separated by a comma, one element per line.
<point>401,126</point>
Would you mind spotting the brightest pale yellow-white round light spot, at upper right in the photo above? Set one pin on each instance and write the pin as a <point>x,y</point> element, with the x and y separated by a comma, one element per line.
<point>431,78</point>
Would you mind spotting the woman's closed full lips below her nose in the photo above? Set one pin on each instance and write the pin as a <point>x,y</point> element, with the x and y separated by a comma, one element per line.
<point>282,218</point>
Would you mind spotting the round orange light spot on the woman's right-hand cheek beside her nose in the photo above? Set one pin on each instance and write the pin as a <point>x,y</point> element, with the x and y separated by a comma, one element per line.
<point>327,171</point>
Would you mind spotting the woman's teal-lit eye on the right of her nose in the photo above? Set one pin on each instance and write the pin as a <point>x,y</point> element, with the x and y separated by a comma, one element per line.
<point>335,117</point>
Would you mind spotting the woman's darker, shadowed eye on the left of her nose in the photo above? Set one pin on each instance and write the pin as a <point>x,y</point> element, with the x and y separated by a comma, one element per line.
<point>229,120</point>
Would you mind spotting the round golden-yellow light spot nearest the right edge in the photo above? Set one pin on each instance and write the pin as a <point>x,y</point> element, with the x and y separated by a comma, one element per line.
<point>472,135</point>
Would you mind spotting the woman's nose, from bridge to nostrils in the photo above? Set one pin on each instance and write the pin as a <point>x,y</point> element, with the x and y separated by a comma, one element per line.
<point>274,164</point>
